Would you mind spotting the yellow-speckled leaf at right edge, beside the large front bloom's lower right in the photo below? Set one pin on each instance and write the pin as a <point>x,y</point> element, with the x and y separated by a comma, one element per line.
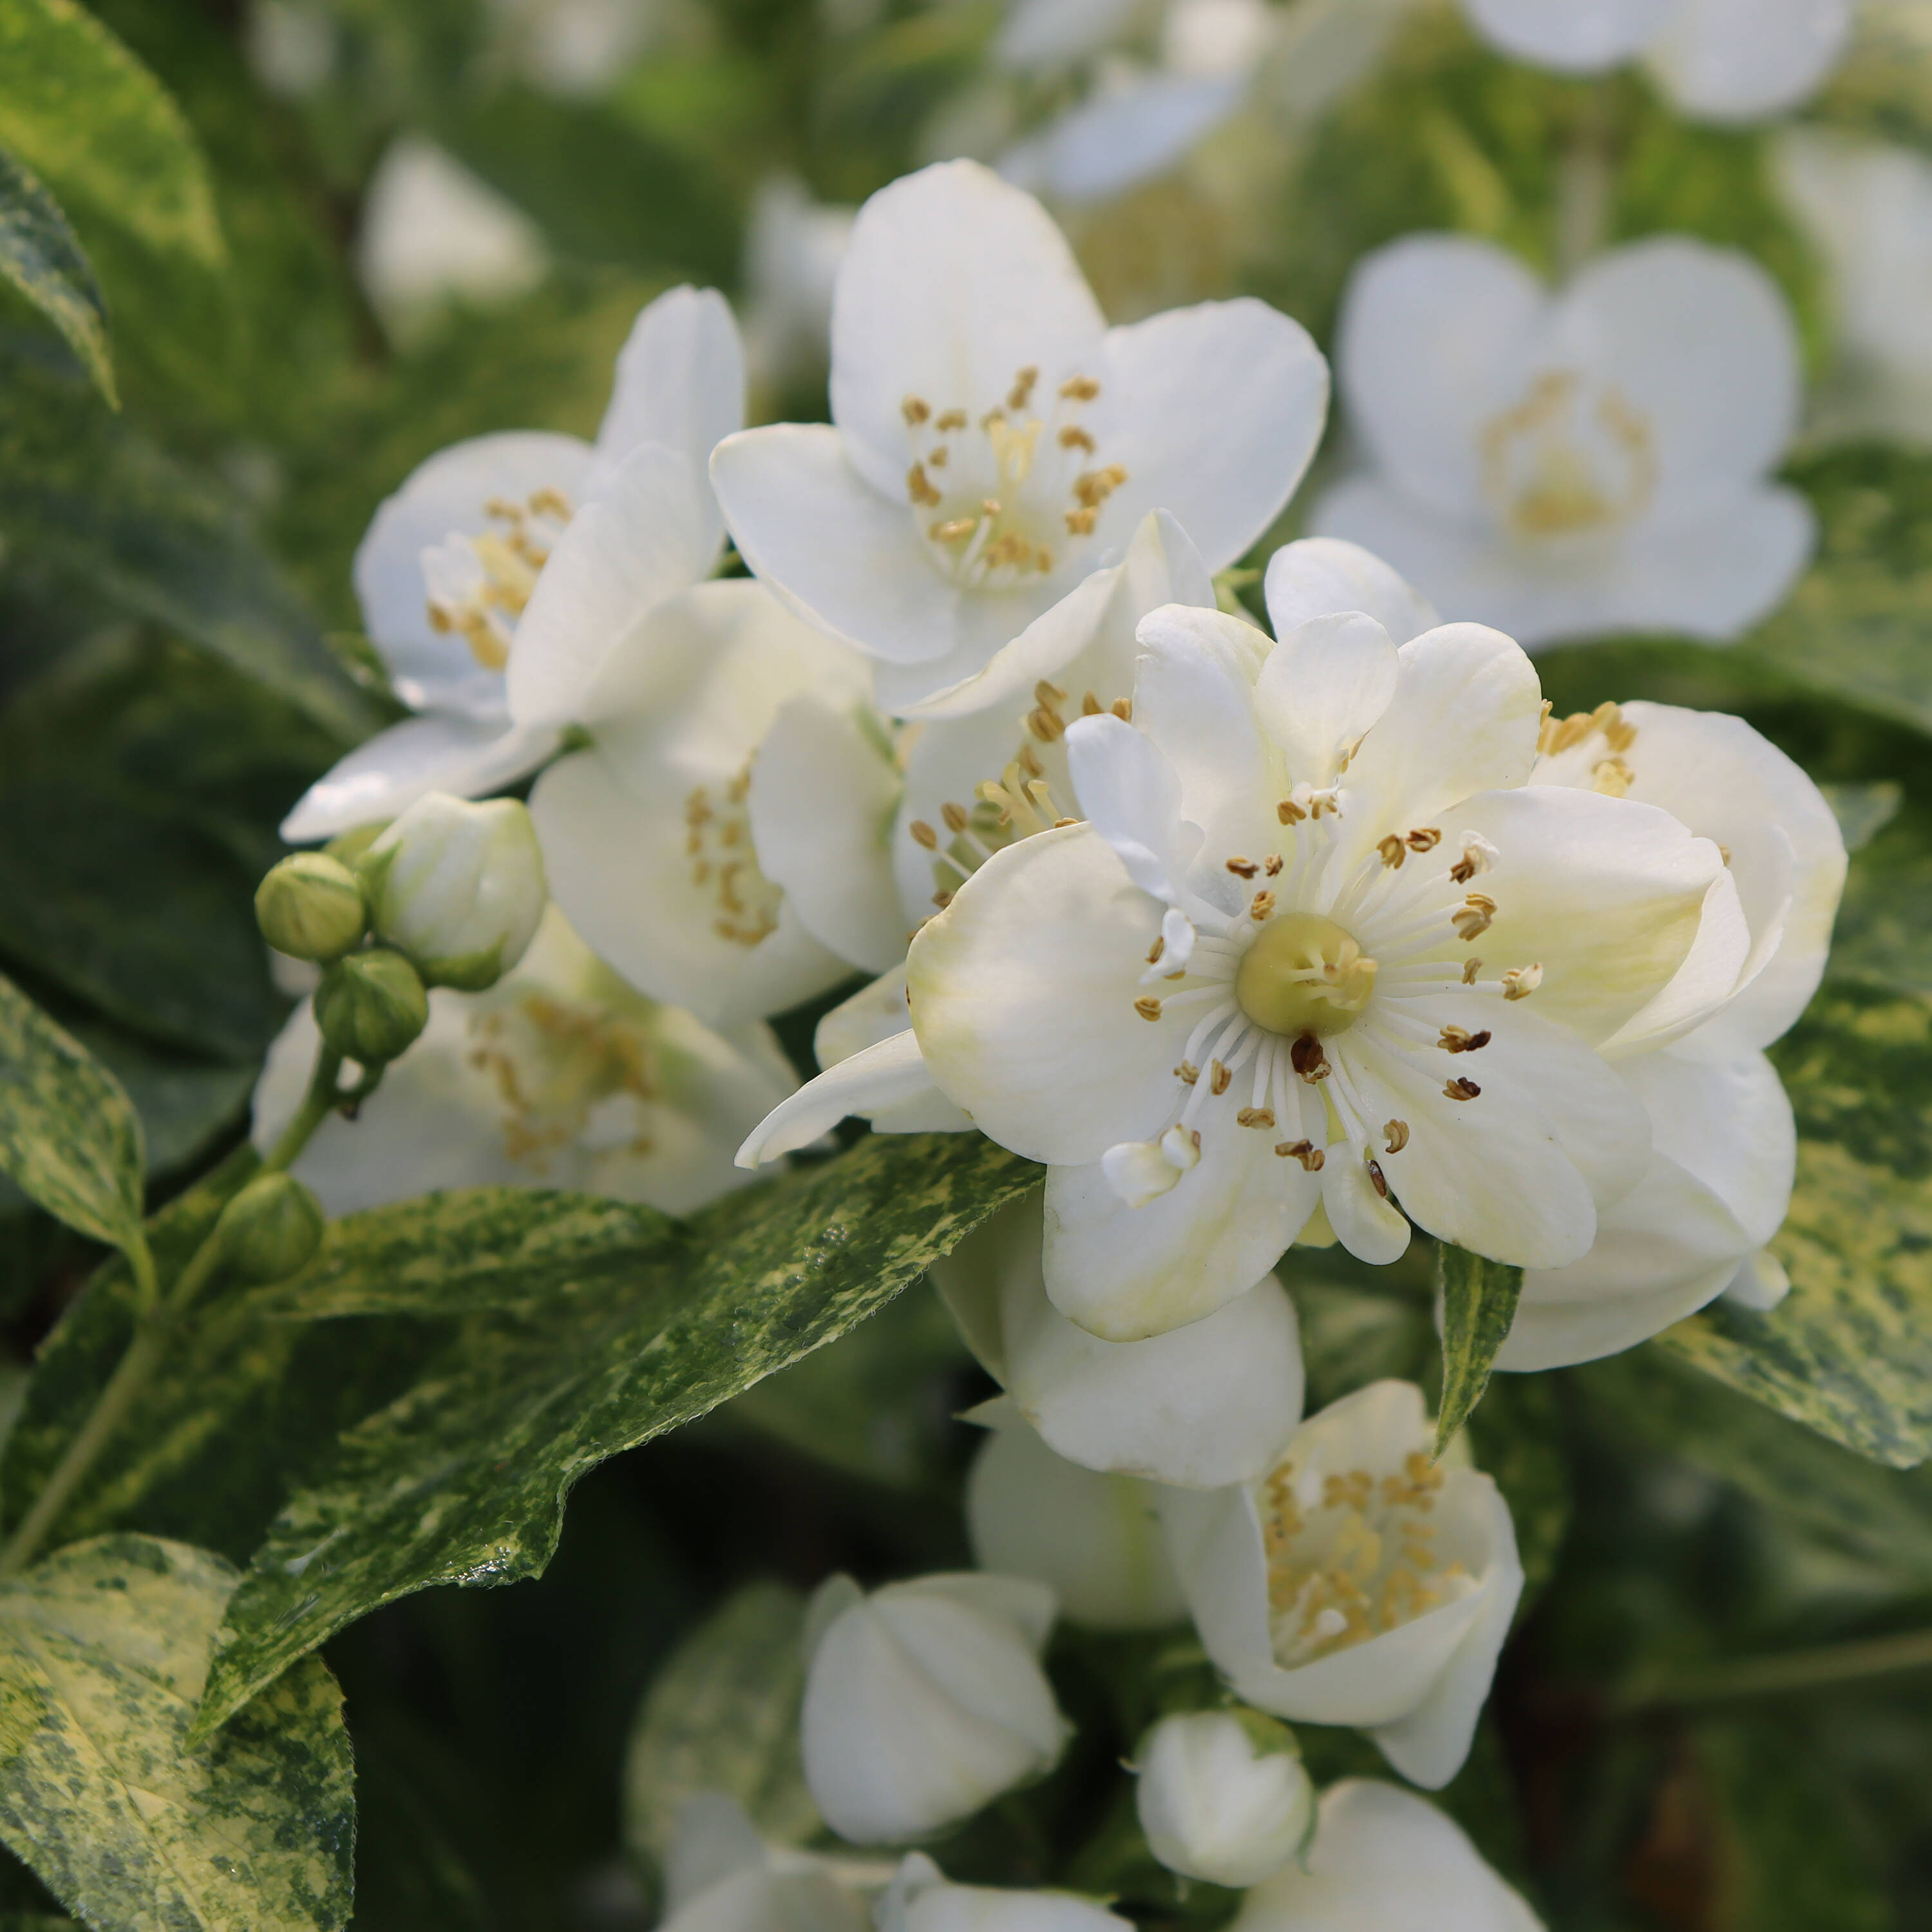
<point>1850,1350</point>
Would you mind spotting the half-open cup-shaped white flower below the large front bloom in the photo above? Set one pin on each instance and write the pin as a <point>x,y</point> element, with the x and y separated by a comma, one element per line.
<point>1357,1581</point>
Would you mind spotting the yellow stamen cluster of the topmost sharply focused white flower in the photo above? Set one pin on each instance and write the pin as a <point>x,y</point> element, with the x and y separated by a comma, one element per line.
<point>1006,497</point>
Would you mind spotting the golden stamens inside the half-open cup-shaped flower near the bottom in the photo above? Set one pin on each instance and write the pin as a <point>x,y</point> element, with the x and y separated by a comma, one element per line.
<point>1351,1556</point>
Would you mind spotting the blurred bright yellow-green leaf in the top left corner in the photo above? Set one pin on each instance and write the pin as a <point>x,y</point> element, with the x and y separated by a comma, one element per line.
<point>101,130</point>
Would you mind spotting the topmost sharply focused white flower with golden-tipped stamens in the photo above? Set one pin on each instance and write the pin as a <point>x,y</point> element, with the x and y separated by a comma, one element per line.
<point>994,445</point>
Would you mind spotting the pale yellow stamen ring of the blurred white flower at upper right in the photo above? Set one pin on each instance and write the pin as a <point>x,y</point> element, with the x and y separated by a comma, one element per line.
<point>1558,469</point>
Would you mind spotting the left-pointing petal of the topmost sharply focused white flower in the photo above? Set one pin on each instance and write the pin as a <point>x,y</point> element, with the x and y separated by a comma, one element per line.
<point>838,552</point>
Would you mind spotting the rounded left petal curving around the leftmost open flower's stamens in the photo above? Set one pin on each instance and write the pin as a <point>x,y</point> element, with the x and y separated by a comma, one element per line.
<point>449,494</point>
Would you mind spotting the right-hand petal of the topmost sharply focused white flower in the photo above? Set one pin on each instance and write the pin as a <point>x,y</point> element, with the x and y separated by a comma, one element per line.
<point>1216,412</point>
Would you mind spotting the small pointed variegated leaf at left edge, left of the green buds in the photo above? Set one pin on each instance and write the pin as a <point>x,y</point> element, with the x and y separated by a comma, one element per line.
<point>69,1133</point>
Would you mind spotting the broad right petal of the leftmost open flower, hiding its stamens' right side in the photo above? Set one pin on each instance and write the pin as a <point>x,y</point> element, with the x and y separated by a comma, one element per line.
<point>633,548</point>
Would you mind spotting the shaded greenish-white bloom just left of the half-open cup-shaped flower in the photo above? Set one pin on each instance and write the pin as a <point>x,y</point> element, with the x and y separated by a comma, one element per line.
<point>1089,1537</point>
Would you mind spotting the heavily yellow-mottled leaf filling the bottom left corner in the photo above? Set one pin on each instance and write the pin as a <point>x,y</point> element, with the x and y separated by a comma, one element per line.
<point>103,1655</point>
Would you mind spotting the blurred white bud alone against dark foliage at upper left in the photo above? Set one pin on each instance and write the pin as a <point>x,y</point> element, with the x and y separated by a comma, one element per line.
<point>434,233</point>
